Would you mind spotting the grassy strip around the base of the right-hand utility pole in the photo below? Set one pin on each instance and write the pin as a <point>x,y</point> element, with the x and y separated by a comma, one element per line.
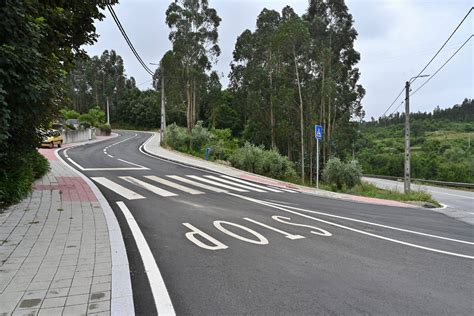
<point>370,190</point>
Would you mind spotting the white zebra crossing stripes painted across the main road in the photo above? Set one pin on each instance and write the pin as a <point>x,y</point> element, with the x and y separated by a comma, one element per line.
<point>217,184</point>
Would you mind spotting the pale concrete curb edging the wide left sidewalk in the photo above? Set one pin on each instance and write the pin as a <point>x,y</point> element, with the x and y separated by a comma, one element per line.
<point>121,295</point>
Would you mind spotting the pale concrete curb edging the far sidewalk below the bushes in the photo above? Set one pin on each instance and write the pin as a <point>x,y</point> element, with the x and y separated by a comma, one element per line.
<point>265,180</point>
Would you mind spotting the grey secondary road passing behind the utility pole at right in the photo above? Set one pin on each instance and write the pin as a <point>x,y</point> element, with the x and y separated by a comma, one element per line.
<point>458,199</point>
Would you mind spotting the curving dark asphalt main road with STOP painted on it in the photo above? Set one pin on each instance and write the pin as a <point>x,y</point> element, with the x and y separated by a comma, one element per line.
<point>270,252</point>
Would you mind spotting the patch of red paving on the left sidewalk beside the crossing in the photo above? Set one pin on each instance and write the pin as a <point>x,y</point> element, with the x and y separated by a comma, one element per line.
<point>72,189</point>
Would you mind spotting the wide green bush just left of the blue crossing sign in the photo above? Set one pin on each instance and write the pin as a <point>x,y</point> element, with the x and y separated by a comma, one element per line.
<point>265,162</point>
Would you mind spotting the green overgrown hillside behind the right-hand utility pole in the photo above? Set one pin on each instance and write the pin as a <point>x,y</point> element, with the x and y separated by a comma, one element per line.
<point>440,143</point>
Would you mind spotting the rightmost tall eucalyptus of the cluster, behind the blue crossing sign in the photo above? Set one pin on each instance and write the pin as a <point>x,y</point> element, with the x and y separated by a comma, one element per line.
<point>333,34</point>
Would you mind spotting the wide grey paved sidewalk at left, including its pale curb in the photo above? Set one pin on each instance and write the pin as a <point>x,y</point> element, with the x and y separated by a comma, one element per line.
<point>56,255</point>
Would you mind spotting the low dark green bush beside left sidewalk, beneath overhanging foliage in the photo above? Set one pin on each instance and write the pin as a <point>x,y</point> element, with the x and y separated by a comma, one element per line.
<point>15,183</point>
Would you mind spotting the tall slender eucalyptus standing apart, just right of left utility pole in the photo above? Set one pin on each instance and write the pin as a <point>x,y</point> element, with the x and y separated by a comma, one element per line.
<point>194,37</point>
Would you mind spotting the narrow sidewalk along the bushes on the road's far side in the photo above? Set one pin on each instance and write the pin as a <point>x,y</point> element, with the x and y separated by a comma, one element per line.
<point>152,146</point>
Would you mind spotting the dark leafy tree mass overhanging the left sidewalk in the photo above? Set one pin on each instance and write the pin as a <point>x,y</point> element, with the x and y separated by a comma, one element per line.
<point>39,41</point>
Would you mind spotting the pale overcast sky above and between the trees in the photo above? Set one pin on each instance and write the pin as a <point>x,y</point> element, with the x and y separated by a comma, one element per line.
<point>396,40</point>
